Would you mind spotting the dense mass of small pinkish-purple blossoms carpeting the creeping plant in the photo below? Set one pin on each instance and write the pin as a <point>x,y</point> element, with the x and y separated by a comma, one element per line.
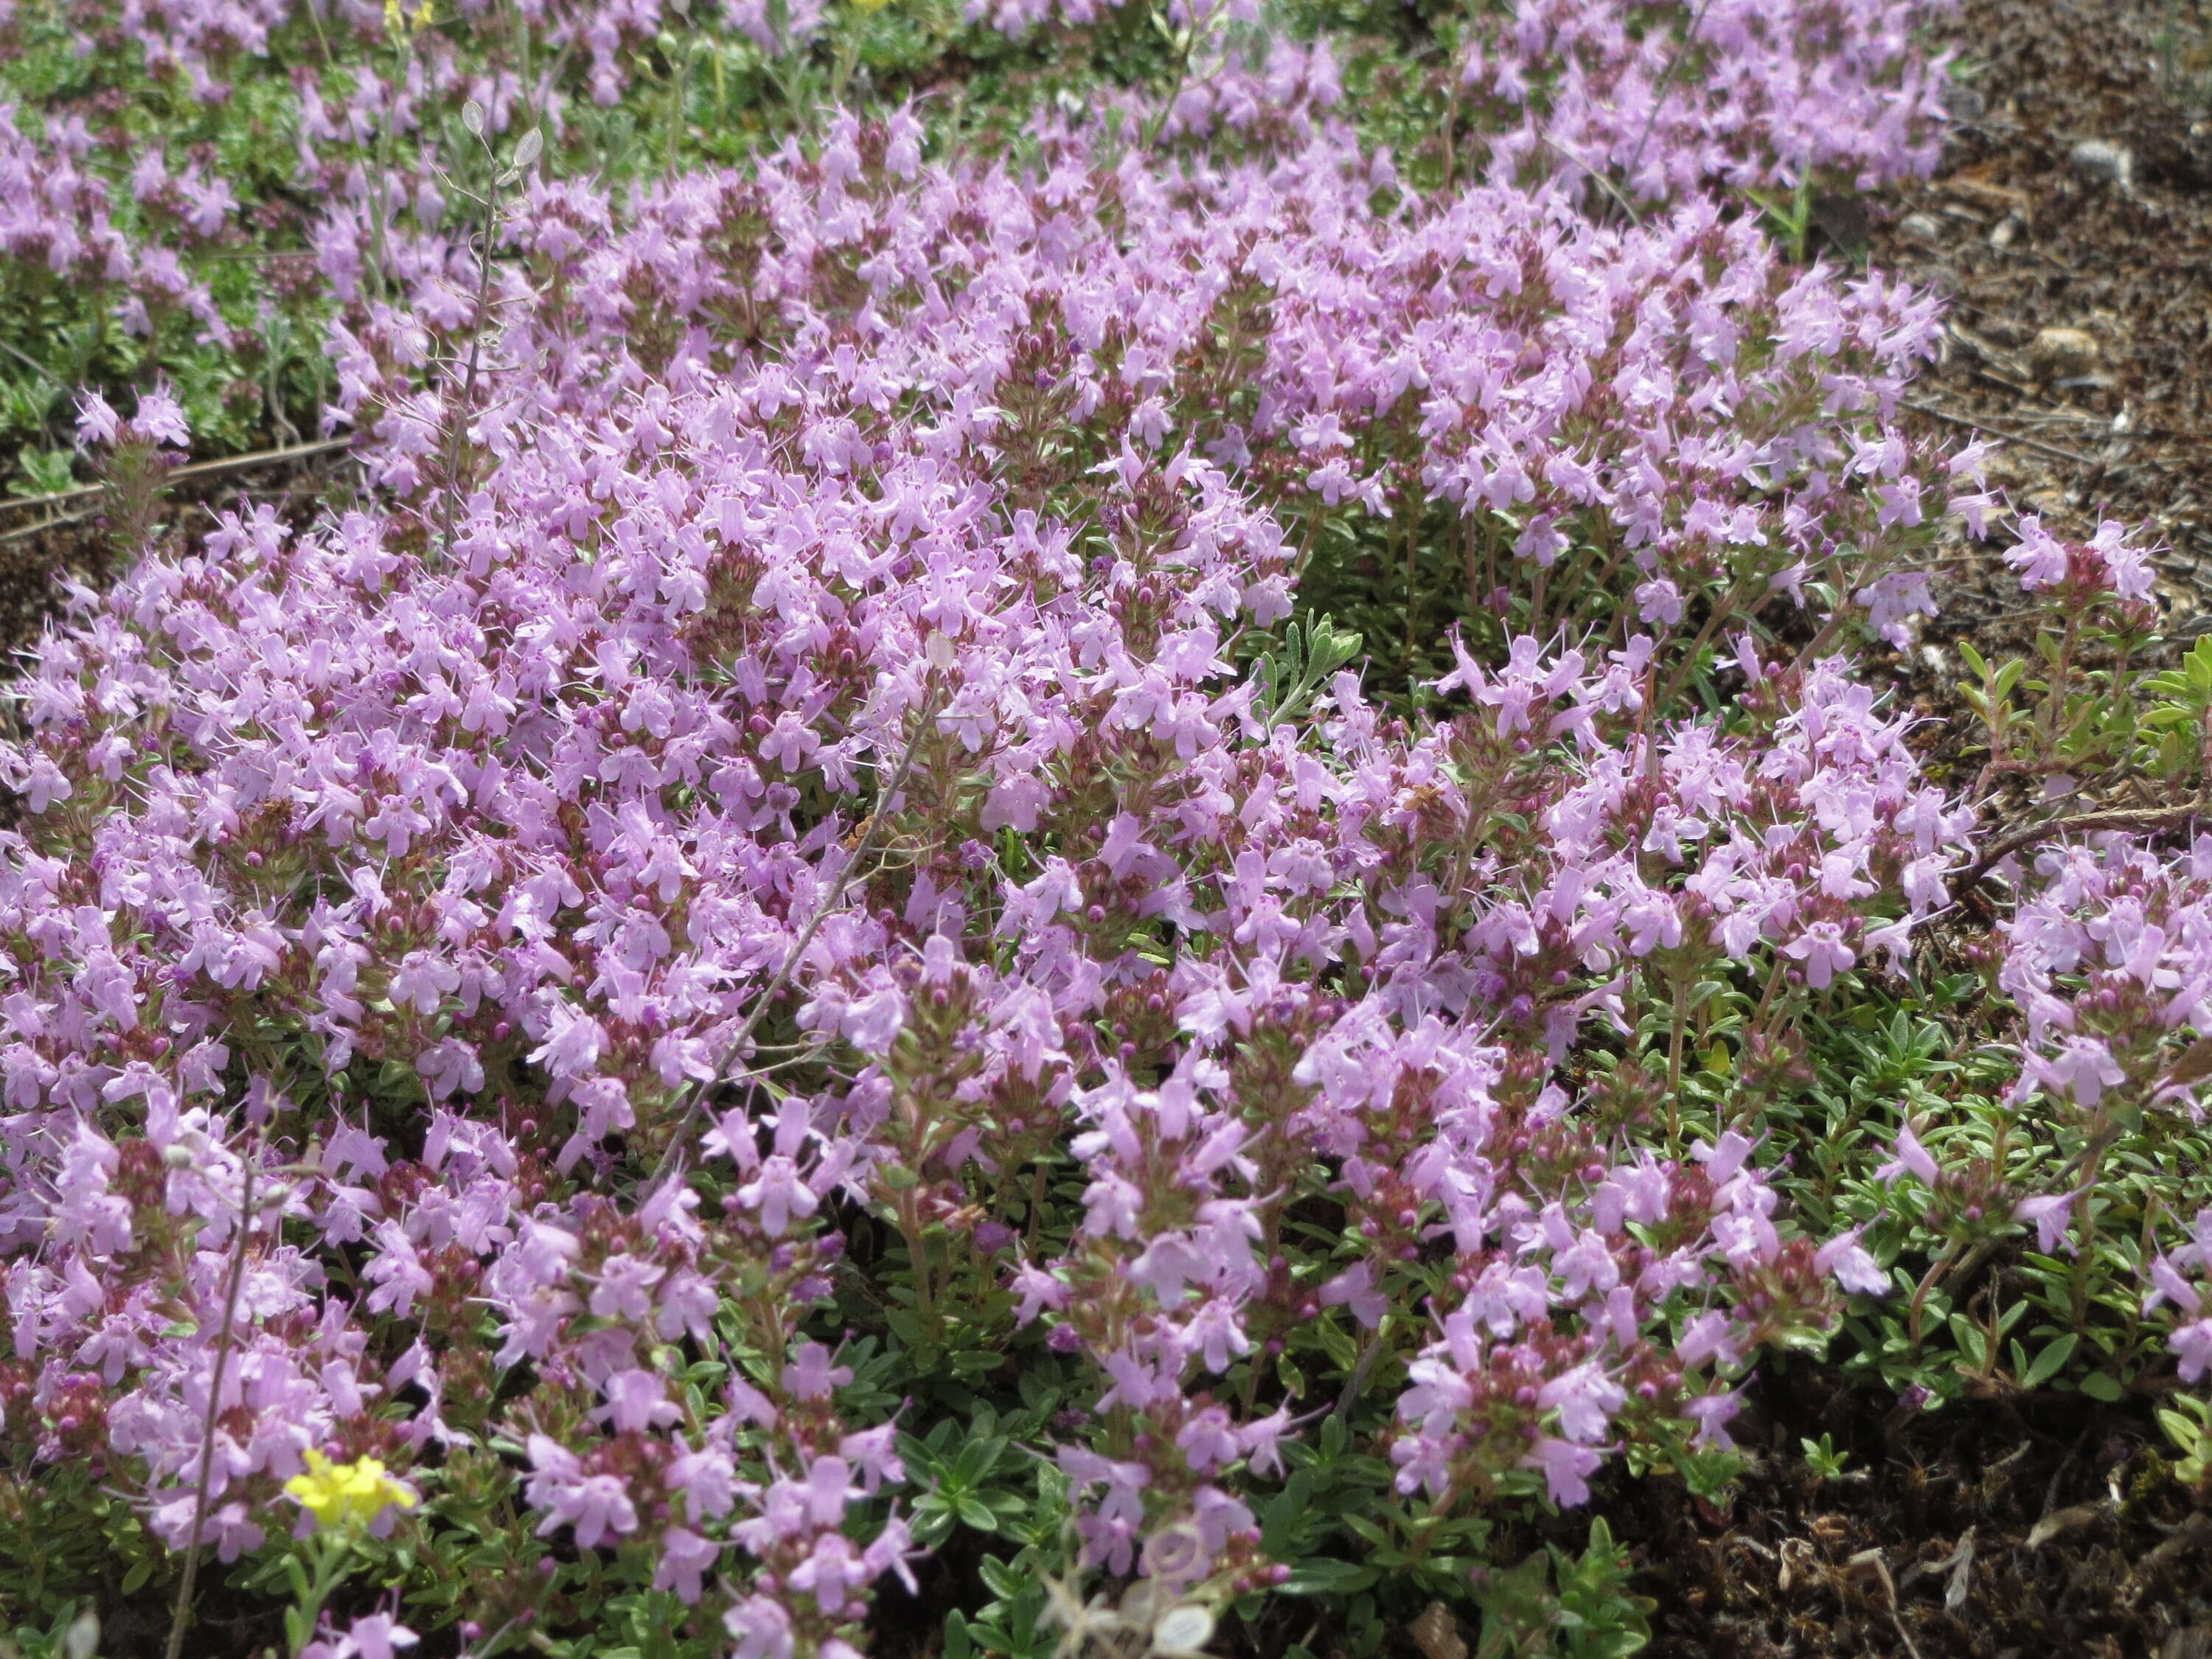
<point>778,744</point>
